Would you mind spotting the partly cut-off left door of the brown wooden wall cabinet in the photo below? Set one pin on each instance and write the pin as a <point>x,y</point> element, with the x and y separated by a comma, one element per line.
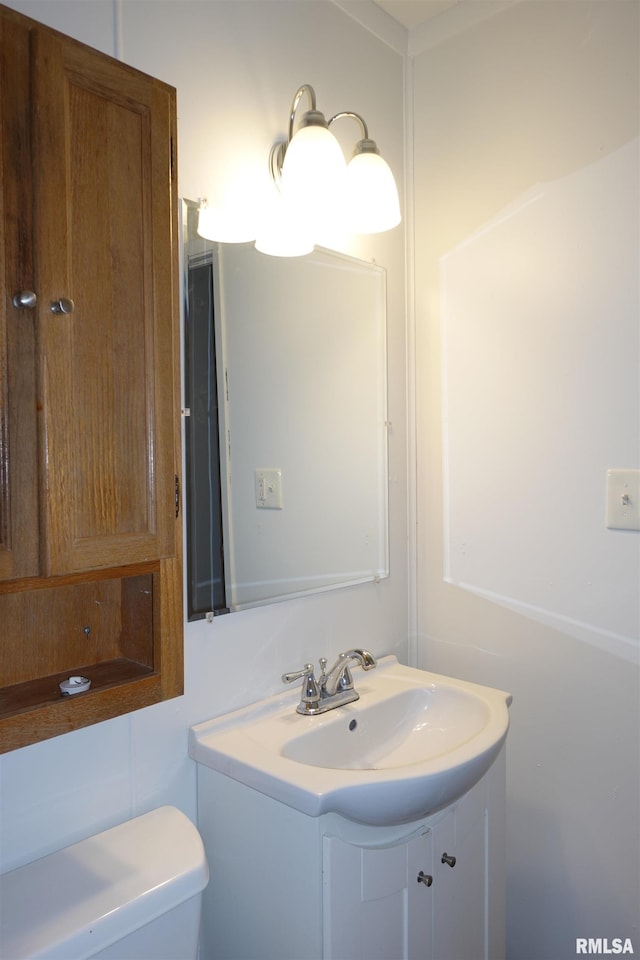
<point>18,438</point>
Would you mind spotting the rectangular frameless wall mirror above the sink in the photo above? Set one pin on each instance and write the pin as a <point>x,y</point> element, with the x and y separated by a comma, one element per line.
<point>286,426</point>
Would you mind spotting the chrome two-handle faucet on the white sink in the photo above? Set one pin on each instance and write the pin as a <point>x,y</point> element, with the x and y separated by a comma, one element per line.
<point>332,689</point>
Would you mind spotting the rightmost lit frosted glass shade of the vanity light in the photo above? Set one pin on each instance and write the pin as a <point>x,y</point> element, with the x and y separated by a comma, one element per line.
<point>371,195</point>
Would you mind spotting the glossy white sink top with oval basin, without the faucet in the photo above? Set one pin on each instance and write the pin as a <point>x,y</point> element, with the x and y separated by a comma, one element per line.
<point>412,744</point>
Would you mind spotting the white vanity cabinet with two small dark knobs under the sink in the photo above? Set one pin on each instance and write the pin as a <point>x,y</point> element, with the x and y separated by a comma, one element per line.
<point>286,885</point>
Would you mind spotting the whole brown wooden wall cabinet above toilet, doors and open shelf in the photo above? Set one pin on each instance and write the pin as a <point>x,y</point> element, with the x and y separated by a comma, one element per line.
<point>90,525</point>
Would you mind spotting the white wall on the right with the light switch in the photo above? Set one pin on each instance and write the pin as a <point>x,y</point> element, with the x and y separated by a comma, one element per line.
<point>526,263</point>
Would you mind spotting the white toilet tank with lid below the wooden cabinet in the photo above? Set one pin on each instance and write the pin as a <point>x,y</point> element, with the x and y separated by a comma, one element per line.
<point>133,891</point>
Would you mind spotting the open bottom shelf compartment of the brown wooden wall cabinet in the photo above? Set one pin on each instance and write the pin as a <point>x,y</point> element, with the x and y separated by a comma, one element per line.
<point>46,643</point>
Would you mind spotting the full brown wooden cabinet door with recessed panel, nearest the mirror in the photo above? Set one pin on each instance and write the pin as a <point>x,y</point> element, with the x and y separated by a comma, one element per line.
<point>102,166</point>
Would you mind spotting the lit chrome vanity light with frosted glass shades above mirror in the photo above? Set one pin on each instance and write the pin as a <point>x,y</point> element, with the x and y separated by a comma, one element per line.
<point>317,190</point>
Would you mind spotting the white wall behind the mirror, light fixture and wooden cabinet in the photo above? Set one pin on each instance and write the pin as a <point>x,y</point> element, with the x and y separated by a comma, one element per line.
<point>236,67</point>
